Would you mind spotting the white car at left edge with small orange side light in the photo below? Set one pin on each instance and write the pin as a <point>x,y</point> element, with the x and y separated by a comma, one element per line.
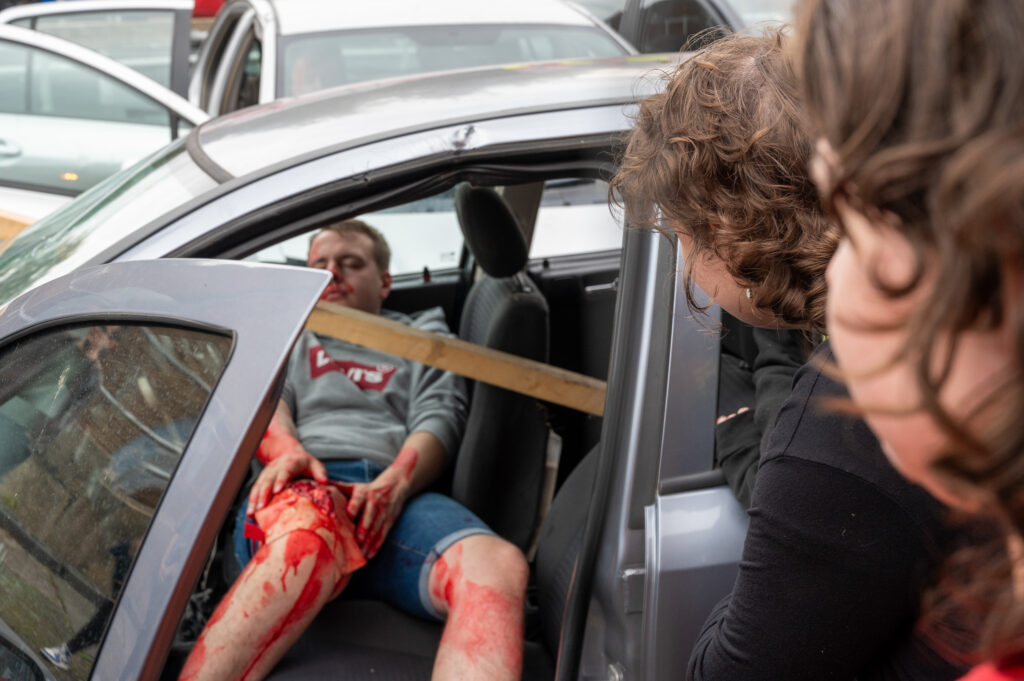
<point>71,117</point>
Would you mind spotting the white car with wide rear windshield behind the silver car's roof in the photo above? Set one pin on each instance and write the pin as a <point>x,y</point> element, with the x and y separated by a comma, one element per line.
<point>261,51</point>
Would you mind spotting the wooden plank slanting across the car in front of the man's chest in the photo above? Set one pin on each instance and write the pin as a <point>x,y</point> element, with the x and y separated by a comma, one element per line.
<point>481,364</point>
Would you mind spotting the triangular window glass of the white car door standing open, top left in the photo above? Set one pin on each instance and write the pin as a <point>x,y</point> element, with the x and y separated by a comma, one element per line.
<point>141,40</point>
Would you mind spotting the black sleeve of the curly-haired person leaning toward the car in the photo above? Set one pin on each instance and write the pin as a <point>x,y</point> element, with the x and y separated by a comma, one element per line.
<point>825,584</point>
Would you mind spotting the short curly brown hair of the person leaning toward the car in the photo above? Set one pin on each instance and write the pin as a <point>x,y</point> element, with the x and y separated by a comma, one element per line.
<point>722,155</point>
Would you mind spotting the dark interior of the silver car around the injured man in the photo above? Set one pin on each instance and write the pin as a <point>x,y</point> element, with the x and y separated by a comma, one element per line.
<point>520,464</point>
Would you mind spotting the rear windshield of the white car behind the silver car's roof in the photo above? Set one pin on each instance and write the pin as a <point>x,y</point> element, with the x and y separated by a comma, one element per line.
<point>315,62</point>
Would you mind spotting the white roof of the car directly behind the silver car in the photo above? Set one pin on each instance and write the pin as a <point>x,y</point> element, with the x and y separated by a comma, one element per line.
<point>296,17</point>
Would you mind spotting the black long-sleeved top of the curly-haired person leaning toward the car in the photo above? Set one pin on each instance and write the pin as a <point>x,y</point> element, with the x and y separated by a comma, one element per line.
<point>838,556</point>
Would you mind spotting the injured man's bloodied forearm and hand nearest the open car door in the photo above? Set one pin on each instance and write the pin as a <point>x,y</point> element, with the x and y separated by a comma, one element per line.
<point>284,458</point>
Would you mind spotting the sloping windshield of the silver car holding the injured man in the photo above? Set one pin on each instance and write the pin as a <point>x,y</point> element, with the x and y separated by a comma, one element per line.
<point>101,218</point>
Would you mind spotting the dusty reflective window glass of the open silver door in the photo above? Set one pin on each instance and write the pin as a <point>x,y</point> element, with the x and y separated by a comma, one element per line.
<point>94,421</point>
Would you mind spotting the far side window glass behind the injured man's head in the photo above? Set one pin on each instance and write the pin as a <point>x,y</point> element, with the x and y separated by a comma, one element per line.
<point>421,234</point>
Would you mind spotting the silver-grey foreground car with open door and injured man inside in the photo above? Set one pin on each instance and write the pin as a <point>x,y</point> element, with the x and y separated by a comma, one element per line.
<point>142,360</point>
